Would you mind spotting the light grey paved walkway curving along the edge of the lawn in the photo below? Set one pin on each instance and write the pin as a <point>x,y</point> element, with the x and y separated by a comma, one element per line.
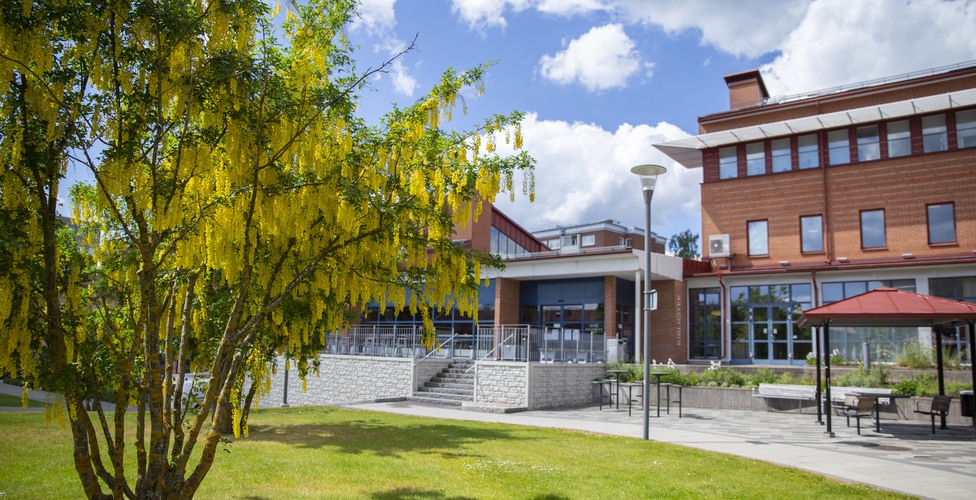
<point>903,457</point>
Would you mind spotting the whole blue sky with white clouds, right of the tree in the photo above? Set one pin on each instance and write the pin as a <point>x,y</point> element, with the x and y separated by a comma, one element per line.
<point>603,80</point>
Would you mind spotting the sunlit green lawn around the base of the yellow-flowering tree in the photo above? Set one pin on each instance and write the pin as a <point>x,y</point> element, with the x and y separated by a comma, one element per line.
<point>342,453</point>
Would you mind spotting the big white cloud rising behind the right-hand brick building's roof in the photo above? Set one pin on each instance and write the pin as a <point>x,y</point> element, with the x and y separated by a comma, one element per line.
<point>841,42</point>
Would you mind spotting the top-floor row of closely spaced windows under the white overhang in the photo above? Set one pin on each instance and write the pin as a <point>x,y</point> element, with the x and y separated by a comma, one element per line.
<point>871,142</point>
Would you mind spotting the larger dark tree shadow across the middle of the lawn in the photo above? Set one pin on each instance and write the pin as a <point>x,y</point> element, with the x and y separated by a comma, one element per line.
<point>378,436</point>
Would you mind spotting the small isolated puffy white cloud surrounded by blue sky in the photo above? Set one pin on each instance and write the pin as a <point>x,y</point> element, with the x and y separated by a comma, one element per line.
<point>602,58</point>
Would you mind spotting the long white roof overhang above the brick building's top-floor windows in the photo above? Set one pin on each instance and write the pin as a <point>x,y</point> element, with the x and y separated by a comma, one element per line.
<point>687,152</point>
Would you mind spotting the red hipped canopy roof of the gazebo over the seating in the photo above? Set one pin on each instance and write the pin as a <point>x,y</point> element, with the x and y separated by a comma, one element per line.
<point>891,307</point>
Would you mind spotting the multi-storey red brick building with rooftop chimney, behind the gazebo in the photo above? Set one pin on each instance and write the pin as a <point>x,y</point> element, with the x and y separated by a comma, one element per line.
<point>811,199</point>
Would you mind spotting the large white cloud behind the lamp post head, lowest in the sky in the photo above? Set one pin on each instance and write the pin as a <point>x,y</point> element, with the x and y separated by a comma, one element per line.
<point>583,175</point>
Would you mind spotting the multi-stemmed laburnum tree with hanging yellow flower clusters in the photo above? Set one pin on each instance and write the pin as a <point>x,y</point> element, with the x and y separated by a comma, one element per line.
<point>239,208</point>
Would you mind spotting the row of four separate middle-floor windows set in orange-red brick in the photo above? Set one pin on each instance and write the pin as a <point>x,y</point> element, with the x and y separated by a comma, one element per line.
<point>941,223</point>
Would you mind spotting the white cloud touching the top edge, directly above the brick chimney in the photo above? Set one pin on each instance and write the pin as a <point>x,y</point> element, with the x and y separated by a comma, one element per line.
<point>747,28</point>
